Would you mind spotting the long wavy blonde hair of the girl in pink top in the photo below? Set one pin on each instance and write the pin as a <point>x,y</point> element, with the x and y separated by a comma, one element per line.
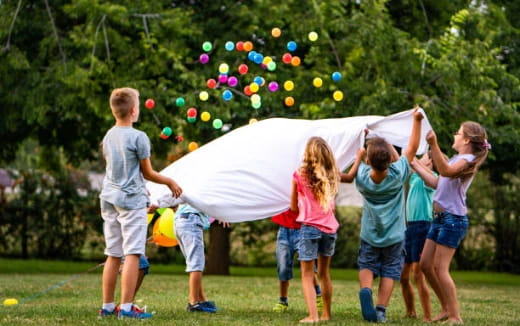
<point>320,169</point>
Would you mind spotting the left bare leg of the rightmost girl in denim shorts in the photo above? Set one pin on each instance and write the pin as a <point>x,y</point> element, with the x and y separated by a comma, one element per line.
<point>427,265</point>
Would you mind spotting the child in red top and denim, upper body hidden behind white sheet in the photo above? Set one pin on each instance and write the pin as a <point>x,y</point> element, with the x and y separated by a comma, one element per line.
<point>287,242</point>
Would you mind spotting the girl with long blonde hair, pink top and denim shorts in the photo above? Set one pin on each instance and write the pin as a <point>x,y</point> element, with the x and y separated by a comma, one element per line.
<point>315,184</point>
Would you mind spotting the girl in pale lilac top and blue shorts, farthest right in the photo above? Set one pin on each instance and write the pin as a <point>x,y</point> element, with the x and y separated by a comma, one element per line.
<point>450,223</point>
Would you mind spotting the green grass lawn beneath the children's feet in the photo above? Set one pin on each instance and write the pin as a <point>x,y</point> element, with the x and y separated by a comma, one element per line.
<point>246,297</point>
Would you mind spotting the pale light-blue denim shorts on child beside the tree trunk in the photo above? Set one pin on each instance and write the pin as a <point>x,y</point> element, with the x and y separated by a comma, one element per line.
<point>189,233</point>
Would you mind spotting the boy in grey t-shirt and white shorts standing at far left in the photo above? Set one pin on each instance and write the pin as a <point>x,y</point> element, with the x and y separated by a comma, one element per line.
<point>123,201</point>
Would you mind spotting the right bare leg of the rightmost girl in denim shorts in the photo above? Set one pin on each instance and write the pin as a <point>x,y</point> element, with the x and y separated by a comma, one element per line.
<point>443,256</point>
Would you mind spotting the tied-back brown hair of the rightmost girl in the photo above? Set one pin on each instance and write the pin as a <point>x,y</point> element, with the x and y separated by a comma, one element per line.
<point>477,136</point>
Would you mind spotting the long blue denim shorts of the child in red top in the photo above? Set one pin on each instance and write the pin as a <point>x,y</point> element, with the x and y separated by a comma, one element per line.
<point>287,242</point>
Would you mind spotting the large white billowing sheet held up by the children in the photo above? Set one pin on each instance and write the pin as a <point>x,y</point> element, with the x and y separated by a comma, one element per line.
<point>246,174</point>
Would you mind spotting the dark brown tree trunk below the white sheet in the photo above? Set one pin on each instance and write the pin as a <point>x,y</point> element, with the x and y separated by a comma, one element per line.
<point>218,259</point>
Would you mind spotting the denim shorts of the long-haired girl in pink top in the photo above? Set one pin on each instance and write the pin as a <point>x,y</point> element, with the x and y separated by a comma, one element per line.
<point>314,242</point>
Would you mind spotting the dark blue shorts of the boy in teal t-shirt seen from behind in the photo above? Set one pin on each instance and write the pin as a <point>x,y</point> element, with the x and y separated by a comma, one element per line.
<point>383,262</point>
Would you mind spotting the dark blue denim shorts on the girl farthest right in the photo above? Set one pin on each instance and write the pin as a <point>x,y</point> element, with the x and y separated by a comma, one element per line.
<point>448,229</point>
